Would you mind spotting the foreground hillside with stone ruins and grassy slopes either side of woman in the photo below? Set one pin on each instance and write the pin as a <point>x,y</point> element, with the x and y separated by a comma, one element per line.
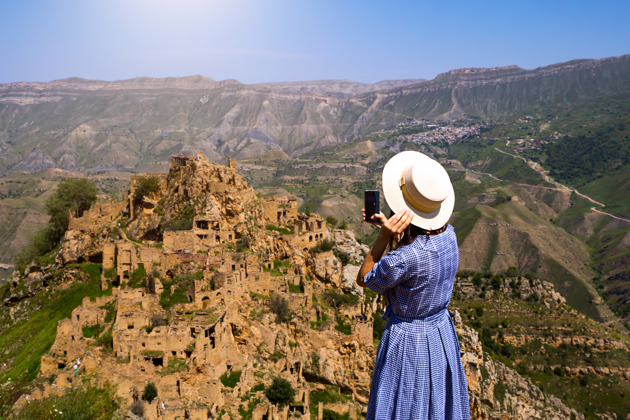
<point>210,292</point>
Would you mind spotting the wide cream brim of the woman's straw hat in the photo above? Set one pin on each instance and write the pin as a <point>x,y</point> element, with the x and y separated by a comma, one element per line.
<point>397,202</point>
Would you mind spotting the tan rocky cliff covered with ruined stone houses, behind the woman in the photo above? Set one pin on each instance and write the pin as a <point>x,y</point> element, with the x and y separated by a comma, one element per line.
<point>209,292</point>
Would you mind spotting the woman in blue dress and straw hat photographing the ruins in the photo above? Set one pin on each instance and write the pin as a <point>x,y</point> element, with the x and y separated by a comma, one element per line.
<point>418,372</point>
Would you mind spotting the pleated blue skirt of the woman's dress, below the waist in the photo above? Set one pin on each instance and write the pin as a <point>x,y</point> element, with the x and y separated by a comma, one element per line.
<point>418,372</point>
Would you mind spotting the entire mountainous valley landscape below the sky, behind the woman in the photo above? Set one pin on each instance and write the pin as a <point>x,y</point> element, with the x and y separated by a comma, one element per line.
<point>542,216</point>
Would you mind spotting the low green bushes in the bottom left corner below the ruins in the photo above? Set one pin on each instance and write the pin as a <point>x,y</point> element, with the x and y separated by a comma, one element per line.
<point>84,401</point>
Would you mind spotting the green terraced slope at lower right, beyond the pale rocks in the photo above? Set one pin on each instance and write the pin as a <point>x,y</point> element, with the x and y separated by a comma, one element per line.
<point>553,333</point>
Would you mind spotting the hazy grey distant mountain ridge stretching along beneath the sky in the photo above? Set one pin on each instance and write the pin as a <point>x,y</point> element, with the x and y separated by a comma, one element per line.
<point>101,126</point>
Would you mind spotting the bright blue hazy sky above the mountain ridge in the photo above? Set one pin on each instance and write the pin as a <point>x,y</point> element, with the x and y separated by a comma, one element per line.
<point>286,40</point>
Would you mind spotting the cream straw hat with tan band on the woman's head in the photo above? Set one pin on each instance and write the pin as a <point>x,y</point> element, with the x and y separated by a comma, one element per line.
<point>414,181</point>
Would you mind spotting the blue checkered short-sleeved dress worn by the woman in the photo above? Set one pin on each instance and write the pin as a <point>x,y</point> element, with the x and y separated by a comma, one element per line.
<point>418,372</point>
